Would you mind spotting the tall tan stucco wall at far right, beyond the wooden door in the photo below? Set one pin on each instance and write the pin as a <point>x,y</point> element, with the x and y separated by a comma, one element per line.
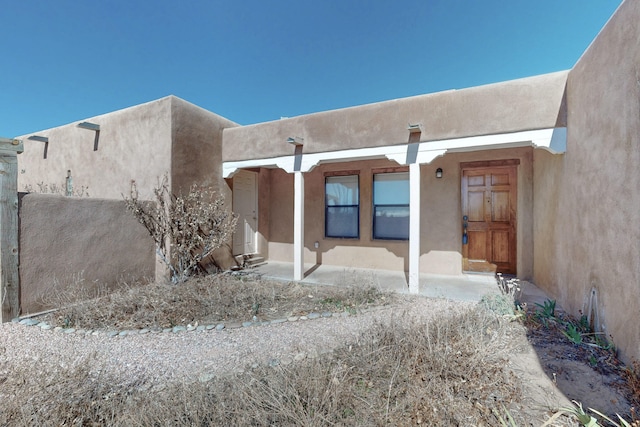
<point>587,203</point>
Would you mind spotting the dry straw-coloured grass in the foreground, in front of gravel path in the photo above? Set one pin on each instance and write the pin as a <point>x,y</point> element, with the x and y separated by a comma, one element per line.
<point>448,371</point>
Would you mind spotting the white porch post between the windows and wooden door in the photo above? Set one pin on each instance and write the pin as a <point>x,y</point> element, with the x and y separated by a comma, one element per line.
<point>414,228</point>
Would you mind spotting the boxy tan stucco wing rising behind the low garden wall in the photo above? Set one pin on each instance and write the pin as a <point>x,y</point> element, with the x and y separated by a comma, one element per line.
<point>141,143</point>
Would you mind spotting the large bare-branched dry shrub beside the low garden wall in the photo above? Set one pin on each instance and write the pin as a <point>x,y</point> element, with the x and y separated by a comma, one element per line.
<point>185,229</point>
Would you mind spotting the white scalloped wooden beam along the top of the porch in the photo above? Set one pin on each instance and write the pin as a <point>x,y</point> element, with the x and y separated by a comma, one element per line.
<point>552,139</point>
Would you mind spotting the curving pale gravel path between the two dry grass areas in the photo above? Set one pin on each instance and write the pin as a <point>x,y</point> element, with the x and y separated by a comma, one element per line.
<point>185,356</point>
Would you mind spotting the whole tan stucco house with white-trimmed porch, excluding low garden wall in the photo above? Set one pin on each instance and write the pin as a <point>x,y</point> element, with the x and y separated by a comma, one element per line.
<point>537,177</point>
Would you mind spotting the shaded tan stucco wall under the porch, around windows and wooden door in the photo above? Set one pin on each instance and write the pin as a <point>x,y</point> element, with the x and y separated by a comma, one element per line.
<point>441,222</point>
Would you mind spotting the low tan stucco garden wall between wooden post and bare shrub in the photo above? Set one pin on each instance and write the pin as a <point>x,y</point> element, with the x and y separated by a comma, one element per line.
<point>64,238</point>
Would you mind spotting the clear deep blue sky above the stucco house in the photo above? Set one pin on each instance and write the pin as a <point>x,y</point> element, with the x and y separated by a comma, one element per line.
<point>258,60</point>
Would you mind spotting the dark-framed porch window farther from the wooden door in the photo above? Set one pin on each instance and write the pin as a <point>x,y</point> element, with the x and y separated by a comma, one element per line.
<point>342,207</point>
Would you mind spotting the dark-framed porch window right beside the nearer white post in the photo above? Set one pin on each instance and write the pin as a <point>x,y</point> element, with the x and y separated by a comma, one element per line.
<point>391,206</point>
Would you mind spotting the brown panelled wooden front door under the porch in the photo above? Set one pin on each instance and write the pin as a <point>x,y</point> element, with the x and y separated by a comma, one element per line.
<point>489,205</point>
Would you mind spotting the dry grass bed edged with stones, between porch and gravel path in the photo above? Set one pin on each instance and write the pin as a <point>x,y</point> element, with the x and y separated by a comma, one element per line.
<point>210,299</point>
